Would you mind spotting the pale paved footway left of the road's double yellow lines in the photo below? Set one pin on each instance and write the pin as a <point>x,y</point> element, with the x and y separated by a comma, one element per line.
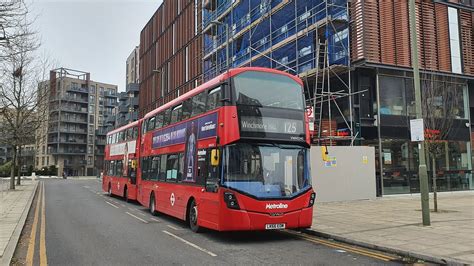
<point>14,207</point>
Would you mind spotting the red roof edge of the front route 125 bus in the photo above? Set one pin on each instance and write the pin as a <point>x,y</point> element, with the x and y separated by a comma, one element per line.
<point>218,79</point>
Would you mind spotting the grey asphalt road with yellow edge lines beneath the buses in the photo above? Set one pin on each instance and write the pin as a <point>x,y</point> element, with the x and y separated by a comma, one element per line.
<point>74,223</point>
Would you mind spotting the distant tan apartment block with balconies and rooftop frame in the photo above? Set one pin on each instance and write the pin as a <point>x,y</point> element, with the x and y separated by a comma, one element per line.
<point>80,112</point>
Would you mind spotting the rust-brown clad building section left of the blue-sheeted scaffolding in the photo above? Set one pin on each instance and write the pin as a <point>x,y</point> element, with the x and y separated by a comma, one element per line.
<point>170,53</point>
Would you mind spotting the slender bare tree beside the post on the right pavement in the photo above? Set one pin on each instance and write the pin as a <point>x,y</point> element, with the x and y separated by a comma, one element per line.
<point>441,106</point>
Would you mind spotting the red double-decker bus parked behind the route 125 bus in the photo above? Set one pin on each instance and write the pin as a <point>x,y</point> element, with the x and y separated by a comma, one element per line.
<point>121,155</point>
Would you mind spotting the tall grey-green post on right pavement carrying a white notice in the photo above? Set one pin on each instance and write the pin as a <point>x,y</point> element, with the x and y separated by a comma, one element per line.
<point>422,170</point>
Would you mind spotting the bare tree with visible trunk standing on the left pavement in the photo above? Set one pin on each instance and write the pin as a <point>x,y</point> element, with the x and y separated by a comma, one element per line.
<point>21,76</point>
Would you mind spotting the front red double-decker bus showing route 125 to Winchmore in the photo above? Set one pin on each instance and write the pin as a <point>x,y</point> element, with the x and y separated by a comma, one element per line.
<point>231,154</point>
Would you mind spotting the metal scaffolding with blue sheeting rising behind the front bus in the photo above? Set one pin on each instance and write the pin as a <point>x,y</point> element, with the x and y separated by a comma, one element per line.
<point>305,38</point>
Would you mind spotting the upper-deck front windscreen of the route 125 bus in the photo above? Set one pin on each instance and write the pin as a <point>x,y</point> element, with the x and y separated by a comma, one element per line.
<point>268,90</point>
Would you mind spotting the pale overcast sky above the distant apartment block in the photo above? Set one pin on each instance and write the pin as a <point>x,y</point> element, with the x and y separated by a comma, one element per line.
<point>94,36</point>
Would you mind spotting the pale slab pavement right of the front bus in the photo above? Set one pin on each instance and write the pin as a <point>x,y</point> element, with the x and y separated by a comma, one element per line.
<point>393,224</point>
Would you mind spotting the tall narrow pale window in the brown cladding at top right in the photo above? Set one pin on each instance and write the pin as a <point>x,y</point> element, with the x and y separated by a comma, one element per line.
<point>454,42</point>
